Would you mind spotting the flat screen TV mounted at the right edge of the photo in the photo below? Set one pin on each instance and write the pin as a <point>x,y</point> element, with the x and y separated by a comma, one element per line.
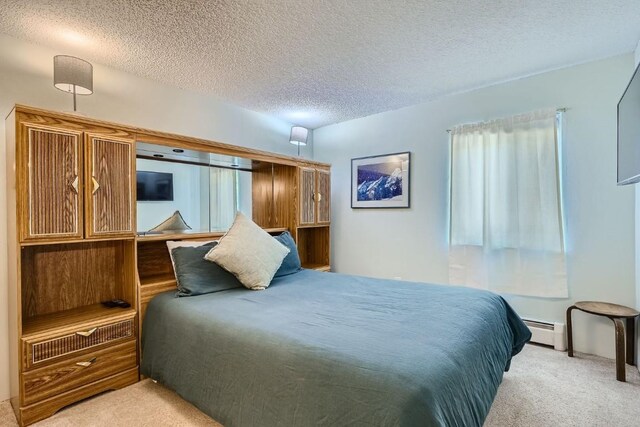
<point>629,132</point>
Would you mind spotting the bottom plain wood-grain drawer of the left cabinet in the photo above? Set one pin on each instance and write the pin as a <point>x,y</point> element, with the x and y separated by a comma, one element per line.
<point>51,380</point>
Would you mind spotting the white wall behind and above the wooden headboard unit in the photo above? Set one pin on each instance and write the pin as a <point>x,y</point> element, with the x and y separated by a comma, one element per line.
<point>26,78</point>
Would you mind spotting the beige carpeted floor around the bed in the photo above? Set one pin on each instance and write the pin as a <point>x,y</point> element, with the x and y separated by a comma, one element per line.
<point>543,388</point>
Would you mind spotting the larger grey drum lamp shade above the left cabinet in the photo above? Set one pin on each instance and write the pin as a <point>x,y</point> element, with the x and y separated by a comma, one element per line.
<point>70,72</point>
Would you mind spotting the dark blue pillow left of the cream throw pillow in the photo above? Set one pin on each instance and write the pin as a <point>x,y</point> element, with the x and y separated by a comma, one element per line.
<point>196,276</point>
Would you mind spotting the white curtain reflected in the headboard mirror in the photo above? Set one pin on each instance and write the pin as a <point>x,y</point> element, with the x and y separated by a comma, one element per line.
<point>223,198</point>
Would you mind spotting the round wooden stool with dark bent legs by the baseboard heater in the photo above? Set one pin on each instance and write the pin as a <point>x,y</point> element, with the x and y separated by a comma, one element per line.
<point>616,313</point>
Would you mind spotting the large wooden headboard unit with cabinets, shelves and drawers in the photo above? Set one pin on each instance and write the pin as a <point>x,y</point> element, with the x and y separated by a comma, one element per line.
<point>72,242</point>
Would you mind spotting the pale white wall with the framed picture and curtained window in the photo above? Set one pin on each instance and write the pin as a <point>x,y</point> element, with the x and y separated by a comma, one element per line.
<point>412,243</point>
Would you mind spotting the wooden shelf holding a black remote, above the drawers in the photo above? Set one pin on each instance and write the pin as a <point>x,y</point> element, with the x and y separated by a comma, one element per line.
<point>72,318</point>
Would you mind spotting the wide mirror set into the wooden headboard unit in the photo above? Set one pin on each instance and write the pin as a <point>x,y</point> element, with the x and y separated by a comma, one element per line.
<point>188,191</point>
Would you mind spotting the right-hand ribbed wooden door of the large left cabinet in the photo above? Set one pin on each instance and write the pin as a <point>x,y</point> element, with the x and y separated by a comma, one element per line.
<point>110,194</point>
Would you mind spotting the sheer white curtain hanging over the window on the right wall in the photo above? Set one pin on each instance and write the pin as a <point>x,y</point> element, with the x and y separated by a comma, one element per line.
<point>506,230</point>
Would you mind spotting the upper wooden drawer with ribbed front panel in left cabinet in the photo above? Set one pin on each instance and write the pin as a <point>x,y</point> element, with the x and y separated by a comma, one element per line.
<point>43,351</point>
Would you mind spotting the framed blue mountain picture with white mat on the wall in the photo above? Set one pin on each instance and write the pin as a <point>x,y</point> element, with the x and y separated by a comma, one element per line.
<point>380,181</point>
